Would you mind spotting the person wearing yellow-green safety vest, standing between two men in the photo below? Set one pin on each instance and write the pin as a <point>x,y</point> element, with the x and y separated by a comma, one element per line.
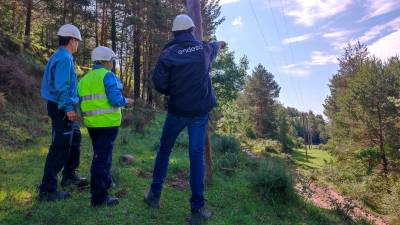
<point>101,99</point>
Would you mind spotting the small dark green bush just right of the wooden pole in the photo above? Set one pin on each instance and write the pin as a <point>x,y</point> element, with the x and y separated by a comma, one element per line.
<point>224,143</point>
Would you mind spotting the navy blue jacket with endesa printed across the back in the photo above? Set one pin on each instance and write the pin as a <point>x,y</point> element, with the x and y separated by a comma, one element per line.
<point>182,72</point>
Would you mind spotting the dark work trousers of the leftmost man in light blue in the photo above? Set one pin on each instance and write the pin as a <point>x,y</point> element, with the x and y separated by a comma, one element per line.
<point>64,150</point>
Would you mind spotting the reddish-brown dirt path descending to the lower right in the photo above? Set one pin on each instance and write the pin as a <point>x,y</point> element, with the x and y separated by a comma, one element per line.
<point>329,198</point>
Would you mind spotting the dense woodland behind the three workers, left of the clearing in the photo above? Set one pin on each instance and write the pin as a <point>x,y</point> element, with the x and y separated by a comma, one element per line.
<point>137,32</point>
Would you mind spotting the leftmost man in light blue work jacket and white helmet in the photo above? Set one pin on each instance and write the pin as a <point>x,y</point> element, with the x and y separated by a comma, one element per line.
<point>59,88</point>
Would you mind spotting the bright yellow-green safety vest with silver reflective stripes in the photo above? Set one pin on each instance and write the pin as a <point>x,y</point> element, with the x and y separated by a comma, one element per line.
<point>96,110</point>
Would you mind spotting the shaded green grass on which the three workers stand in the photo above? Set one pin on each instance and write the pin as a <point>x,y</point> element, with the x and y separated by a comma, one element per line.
<point>229,197</point>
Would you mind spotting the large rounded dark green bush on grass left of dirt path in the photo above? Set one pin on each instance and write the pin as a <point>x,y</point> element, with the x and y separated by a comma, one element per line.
<point>272,180</point>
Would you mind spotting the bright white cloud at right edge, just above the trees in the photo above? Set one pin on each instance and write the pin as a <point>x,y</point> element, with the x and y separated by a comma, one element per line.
<point>387,46</point>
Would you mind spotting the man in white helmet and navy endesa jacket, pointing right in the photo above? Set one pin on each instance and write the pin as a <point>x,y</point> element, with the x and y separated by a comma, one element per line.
<point>182,73</point>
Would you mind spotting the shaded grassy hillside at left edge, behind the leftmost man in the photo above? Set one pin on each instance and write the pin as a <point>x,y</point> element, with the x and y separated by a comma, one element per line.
<point>22,113</point>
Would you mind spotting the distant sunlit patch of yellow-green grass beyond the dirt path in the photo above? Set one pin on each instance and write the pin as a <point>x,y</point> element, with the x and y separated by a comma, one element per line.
<point>316,158</point>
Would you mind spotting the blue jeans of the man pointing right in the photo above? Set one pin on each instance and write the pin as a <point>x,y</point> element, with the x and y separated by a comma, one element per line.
<point>197,135</point>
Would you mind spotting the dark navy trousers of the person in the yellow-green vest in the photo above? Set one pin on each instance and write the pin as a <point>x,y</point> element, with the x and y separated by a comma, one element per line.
<point>100,172</point>
